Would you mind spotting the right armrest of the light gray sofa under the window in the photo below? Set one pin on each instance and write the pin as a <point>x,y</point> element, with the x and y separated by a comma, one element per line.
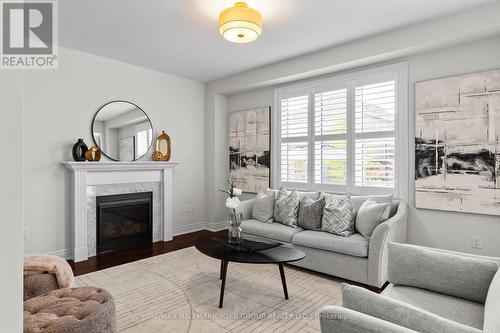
<point>391,230</point>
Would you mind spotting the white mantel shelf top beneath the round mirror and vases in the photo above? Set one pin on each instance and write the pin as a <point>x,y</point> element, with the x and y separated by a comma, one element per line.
<point>117,166</point>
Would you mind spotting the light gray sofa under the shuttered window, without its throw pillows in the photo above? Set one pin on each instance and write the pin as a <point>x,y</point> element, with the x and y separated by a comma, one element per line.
<point>353,258</point>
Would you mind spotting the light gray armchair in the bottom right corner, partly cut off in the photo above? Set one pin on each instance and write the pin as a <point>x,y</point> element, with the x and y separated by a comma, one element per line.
<point>432,291</point>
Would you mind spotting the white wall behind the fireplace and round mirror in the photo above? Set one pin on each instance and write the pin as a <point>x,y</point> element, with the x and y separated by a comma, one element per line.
<point>59,106</point>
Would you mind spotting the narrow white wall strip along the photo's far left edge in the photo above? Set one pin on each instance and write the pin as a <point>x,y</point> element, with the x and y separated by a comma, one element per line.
<point>11,201</point>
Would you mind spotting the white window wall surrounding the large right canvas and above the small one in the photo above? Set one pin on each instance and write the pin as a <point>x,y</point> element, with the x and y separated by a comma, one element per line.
<point>427,227</point>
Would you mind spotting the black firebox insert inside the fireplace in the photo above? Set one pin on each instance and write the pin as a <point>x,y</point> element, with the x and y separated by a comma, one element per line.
<point>124,220</point>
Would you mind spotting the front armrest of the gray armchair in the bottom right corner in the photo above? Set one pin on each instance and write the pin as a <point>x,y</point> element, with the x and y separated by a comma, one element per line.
<point>399,313</point>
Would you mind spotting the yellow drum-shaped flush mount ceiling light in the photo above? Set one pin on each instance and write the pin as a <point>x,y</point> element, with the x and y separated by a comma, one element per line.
<point>240,24</point>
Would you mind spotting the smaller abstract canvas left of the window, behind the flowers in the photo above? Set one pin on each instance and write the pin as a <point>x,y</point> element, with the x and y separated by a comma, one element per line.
<point>250,149</point>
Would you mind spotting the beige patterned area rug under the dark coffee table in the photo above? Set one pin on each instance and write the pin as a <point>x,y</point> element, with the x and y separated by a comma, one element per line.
<point>179,292</point>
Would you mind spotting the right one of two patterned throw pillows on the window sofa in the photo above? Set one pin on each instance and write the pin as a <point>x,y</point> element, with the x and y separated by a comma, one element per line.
<point>338,216</point>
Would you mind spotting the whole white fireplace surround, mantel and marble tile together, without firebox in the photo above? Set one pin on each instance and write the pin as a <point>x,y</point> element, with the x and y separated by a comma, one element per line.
<point>92,179</point>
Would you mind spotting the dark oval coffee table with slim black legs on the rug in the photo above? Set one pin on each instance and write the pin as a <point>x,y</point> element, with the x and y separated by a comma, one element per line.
<point>214,247</point>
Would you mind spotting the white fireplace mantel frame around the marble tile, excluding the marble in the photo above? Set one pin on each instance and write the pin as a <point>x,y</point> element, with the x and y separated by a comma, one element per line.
<point>85,174</point>
